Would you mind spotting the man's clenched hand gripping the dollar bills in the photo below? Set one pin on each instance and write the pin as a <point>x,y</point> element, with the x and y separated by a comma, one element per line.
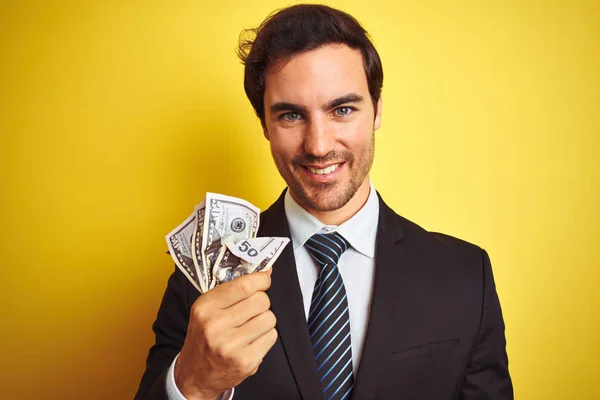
<point>230,330</point>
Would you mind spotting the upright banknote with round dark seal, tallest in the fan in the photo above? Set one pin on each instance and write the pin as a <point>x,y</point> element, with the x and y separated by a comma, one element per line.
<point>226,219</point>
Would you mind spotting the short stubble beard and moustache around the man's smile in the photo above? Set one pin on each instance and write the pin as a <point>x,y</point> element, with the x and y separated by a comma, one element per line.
<point>328,196</point>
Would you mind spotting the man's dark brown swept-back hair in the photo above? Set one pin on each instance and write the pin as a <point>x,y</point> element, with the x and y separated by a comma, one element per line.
<point>297,29</point>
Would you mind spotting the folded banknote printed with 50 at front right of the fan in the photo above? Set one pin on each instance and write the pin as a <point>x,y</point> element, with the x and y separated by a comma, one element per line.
<point>247,256</point>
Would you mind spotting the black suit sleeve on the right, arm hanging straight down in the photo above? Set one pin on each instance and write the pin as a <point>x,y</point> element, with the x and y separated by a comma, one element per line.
<point>487,375</point>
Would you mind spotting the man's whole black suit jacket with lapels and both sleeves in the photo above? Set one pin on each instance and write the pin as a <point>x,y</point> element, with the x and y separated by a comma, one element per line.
<point>435,330</point>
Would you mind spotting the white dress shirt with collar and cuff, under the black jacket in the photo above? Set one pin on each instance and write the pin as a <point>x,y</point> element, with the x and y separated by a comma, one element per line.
<point>356,266</point>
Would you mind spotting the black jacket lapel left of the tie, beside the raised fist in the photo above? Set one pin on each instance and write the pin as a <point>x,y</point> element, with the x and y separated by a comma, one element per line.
<point>287,305</point>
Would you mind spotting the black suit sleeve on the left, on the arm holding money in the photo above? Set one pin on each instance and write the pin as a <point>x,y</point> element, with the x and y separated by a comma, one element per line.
<point>170,329</point>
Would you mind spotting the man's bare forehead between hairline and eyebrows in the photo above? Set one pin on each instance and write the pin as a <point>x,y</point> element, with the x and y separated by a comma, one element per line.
<point>317,76</point>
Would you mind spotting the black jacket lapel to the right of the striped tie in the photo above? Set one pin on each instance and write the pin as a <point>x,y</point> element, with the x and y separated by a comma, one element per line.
<point>389,259</point>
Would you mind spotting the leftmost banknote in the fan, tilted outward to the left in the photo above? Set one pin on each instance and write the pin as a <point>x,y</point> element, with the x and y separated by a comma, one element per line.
<point>179,242</point>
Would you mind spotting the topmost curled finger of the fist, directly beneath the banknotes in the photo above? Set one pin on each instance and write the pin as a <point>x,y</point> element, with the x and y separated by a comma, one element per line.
<point>238,289</point>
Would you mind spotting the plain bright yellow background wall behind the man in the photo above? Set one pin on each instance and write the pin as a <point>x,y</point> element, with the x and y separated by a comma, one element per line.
<point>117,116</point>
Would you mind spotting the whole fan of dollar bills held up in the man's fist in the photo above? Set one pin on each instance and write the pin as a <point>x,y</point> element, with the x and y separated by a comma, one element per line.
<point>218,242</point>
